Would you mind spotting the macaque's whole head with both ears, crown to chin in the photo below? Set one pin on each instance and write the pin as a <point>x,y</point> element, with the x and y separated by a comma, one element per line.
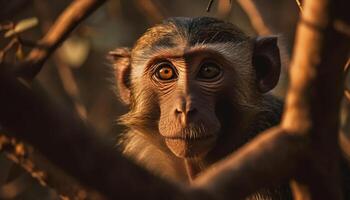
<point>188,80</point>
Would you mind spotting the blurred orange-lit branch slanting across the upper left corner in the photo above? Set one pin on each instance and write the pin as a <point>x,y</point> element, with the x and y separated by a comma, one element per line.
<point>64,25</point>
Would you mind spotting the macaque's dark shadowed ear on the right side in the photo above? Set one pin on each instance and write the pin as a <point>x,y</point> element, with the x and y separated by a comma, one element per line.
<point>267,62</point>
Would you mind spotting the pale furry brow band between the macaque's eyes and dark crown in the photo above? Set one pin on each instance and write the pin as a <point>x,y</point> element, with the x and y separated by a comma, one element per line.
<point>237,55</point>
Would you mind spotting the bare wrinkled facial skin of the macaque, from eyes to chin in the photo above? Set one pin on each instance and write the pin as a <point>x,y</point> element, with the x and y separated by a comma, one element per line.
<point>188,87</point>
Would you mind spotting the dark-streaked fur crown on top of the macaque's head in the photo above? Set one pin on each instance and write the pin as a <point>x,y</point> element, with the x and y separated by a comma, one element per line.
<point>190,30</point>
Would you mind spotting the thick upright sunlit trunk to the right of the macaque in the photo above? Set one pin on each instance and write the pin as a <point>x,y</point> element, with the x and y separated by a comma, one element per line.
<point>313,100</point>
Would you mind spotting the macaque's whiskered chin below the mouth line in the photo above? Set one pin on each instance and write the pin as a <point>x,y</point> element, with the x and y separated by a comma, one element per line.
<point>191,148</point>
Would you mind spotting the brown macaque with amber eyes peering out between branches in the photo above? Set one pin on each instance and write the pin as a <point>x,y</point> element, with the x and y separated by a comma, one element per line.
<point>197,89</point>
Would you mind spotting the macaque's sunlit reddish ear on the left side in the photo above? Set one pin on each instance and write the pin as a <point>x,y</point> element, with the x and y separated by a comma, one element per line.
<point>120,58</point>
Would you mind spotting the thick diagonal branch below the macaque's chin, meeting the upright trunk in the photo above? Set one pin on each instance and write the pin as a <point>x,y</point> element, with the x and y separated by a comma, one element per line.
<point>268,160</point>
